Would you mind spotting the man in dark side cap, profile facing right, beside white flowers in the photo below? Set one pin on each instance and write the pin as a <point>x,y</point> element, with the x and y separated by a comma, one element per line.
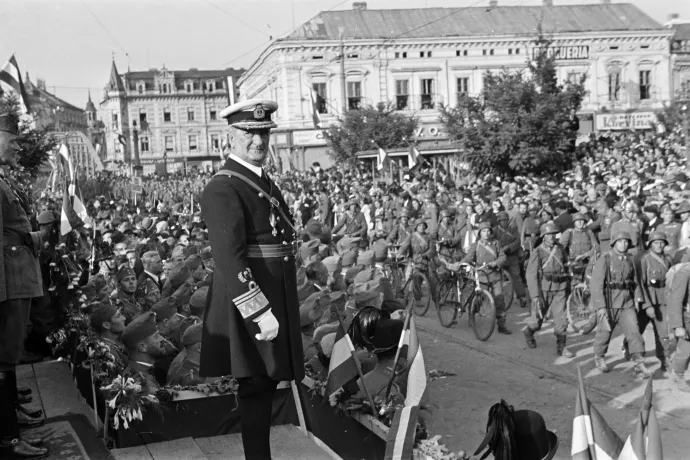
<point>144,346</point>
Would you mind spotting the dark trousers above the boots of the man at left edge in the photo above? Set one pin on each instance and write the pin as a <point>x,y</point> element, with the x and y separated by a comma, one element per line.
<point>14,319</point>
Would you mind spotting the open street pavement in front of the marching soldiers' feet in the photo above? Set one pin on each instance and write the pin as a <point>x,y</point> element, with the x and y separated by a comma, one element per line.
<point>504,368</point>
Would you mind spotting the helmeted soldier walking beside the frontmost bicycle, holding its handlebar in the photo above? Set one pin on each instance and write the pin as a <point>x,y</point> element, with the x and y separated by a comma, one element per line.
<point>487,252</point>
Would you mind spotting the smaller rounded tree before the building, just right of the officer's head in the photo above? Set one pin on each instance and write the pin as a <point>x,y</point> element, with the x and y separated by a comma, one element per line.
<point>367,129</point>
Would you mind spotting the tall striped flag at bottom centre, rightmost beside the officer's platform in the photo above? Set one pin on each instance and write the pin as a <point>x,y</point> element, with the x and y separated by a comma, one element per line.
<point>402,431</point>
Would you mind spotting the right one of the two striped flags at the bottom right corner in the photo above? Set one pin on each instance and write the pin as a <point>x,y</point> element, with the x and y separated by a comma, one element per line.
<point>644,443</point>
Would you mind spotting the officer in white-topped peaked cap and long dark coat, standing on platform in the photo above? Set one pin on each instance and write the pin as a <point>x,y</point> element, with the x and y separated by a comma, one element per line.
<point>251,323</point>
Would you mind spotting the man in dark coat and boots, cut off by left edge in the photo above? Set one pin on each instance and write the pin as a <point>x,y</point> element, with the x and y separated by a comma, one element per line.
<point>20,281</point>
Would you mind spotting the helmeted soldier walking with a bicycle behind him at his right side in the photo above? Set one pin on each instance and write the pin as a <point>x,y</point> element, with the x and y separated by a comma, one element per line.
<point>547,281</point>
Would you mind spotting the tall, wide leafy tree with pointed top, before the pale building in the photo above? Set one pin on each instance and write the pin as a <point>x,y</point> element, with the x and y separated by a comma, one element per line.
<point>521,122</point>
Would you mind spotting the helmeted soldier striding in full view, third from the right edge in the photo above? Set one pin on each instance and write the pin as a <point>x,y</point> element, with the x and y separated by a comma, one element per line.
<point>616,291</point>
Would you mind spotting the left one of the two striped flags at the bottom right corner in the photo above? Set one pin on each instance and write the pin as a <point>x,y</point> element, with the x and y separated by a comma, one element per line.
<point>593,438</point>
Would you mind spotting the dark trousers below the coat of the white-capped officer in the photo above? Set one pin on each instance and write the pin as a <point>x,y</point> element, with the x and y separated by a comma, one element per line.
<point>256,403</point>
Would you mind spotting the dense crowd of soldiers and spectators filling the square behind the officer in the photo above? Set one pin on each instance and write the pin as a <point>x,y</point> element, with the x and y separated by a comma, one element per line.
<point>621,214</point>
